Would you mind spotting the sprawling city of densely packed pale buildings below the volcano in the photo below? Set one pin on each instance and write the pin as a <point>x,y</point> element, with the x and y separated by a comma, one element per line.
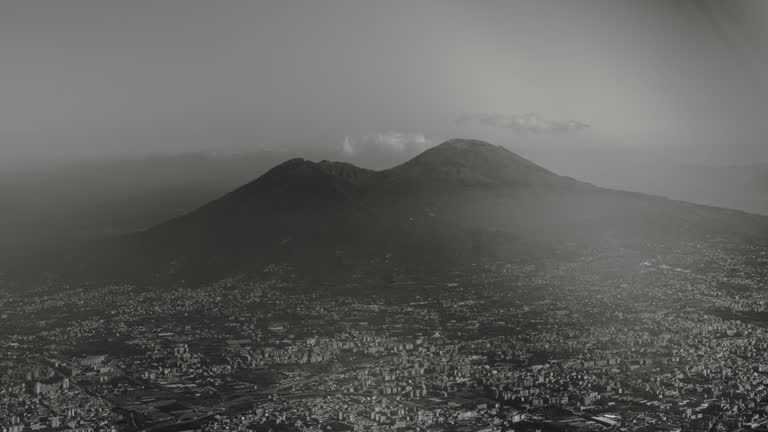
<point>671,342</point>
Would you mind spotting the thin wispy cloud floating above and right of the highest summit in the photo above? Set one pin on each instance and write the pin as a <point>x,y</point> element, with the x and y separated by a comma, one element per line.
<point>523,123</point>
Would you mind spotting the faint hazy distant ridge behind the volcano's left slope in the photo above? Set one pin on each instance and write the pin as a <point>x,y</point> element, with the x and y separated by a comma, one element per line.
<point>46,206</point>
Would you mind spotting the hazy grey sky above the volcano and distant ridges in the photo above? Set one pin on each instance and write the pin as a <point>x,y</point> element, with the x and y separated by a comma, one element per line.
<point>374,80</point>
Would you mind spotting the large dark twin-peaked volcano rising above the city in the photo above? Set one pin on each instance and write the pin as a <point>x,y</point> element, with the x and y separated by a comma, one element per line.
<point>458,203</point>
